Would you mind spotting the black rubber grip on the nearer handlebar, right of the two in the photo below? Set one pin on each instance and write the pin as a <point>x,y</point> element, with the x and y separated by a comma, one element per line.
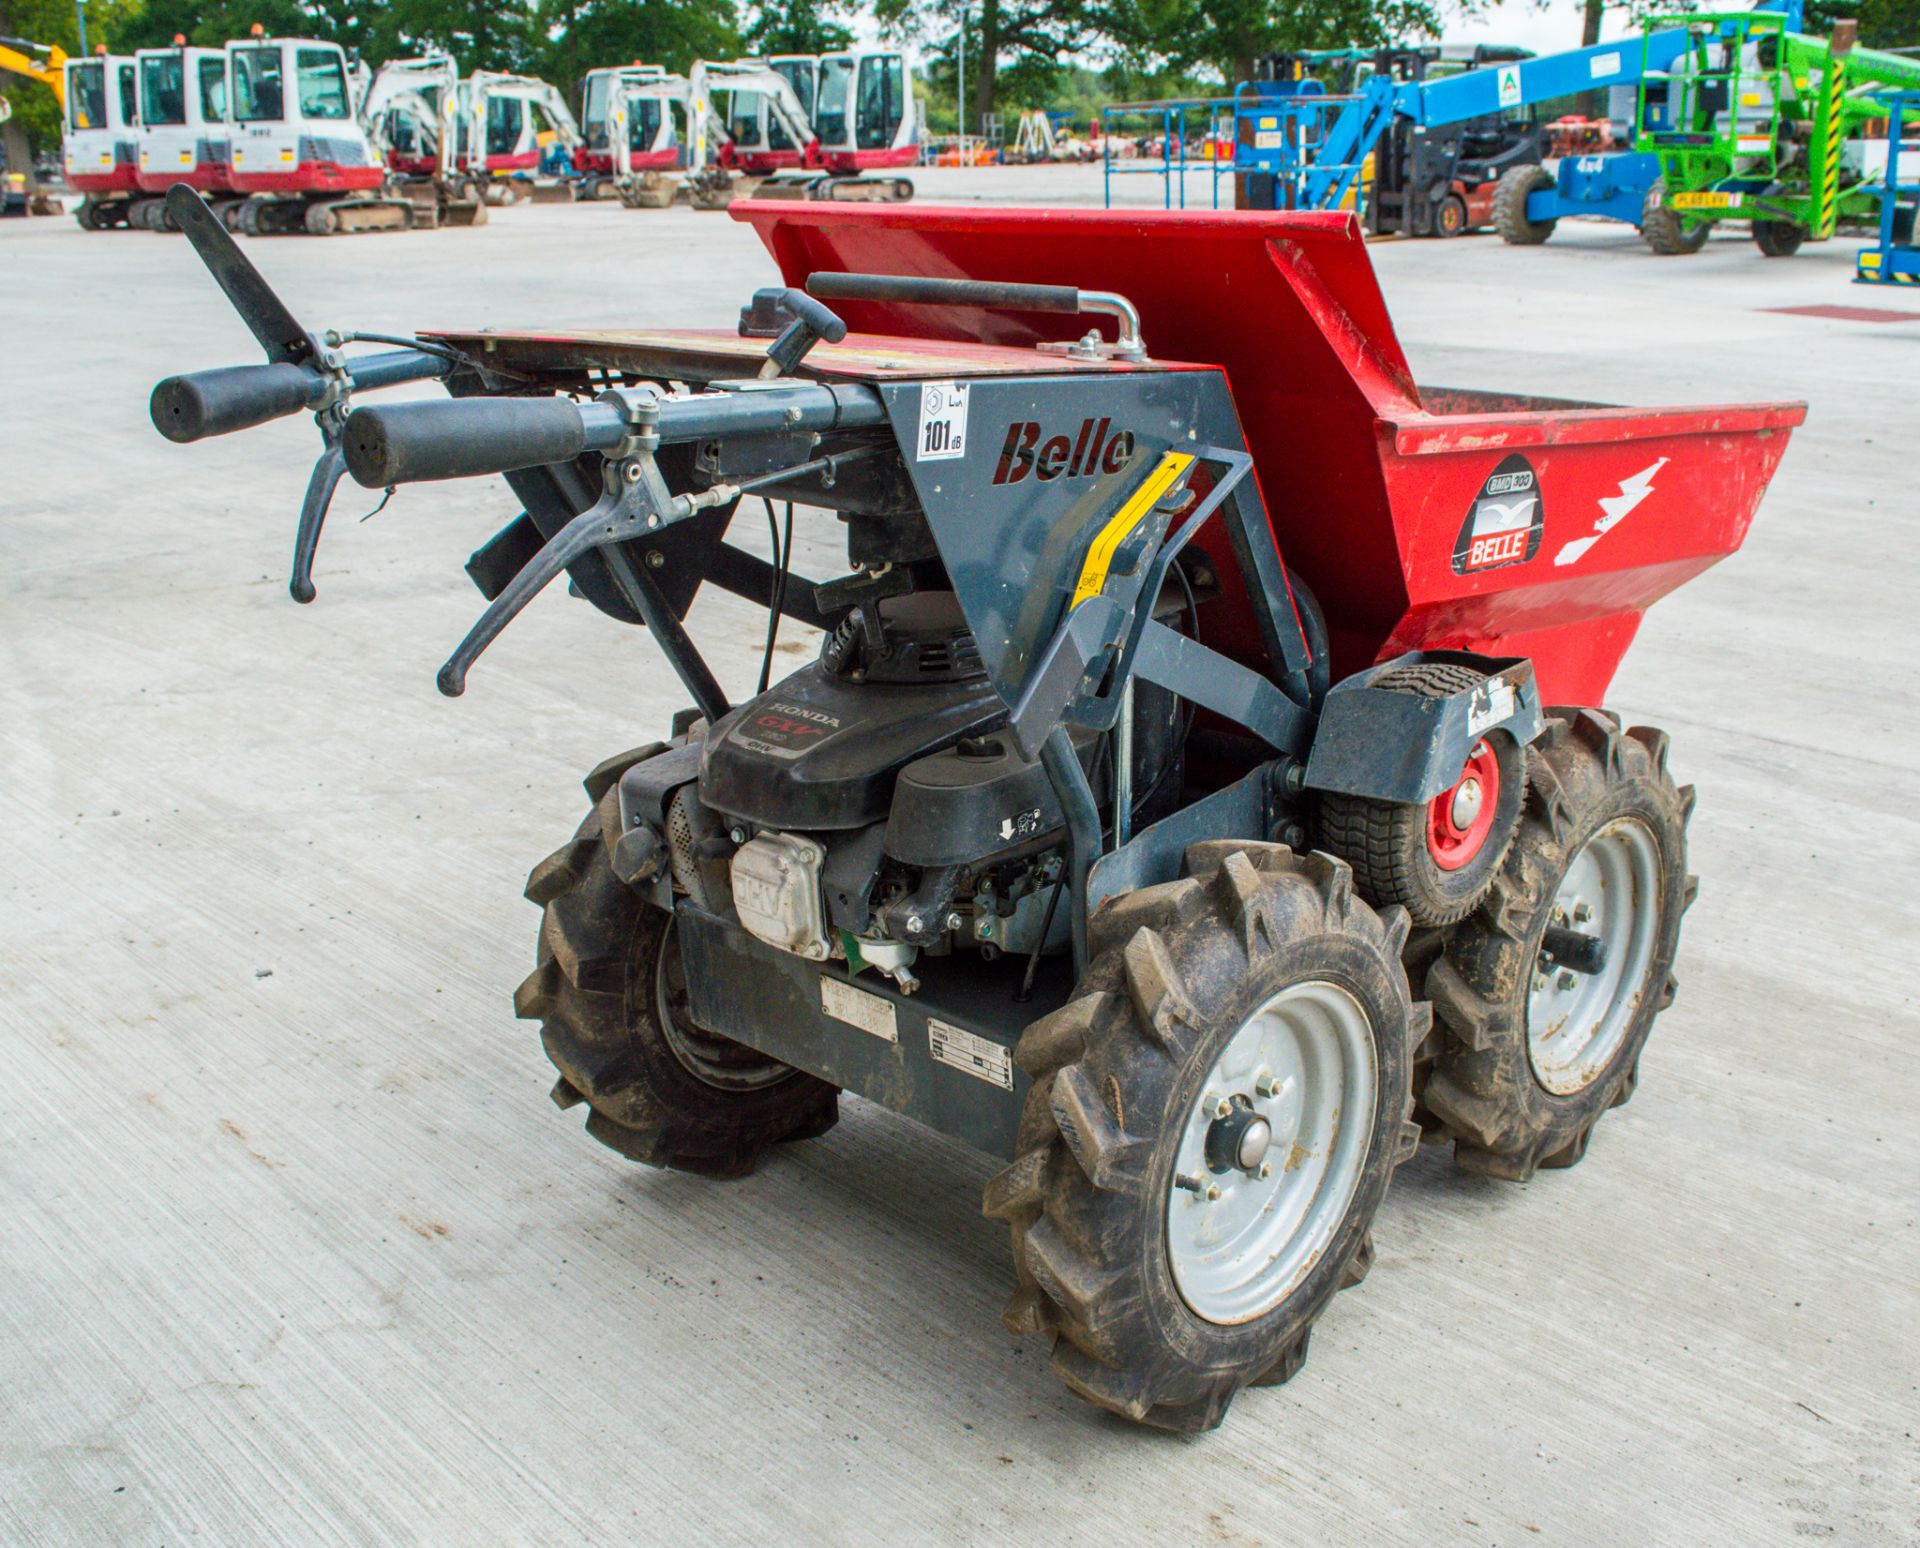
<point>466,439</point>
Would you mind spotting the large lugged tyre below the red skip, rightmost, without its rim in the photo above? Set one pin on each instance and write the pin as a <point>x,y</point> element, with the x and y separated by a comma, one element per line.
<point>1583,775</point>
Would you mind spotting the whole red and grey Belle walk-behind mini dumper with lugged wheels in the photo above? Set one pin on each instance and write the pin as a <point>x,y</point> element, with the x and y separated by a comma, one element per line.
<point>1203,790</point>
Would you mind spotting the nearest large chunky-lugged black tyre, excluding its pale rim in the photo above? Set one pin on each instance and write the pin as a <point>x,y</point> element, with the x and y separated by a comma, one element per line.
<point>1178,969</point>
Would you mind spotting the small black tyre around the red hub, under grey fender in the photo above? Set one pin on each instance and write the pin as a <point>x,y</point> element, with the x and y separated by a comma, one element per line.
<point>1387,840</point>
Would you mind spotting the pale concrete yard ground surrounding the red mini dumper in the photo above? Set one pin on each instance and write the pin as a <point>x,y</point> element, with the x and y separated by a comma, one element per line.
<point>297,1251</point>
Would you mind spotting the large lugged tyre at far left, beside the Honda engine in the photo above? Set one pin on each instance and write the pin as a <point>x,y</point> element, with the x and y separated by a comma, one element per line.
<point>592,992</point>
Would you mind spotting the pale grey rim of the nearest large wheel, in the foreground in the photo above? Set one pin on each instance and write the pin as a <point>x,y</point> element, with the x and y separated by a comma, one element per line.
<point>1247,1224</point>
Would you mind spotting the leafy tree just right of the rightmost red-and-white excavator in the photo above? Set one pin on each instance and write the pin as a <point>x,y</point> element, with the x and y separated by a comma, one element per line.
<point>1032,37</point>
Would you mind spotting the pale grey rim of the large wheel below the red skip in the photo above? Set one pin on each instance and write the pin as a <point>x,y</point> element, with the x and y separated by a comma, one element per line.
<point>1579,1021</point>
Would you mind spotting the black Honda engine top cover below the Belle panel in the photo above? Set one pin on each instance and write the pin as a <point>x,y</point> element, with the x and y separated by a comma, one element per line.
<point>821,752</point>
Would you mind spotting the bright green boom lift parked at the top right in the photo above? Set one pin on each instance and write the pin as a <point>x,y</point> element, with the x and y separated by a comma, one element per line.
<point>1767,126</point>
